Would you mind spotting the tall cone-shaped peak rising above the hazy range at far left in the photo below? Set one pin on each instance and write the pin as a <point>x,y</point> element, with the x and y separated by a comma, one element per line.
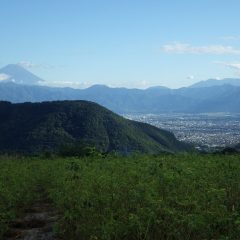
<point>16,73</point>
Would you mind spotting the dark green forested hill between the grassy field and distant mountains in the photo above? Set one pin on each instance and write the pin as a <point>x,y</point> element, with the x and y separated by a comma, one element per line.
<point>33,127</point>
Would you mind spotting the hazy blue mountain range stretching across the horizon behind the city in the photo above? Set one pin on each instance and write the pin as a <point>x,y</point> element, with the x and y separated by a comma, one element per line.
<point>207,96</point>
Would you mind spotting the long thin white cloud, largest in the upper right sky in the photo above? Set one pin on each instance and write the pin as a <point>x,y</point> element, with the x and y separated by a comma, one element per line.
<point>182,48</point>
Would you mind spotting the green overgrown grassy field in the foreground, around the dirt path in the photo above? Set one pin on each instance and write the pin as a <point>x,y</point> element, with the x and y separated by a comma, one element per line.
<point>138,197</point>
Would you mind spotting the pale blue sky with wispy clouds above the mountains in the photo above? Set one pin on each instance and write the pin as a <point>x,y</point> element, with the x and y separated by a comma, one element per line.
<point>122,43</point>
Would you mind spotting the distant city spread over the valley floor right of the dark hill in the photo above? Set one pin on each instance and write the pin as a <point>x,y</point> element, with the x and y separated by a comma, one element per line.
<point>205,131</point>
